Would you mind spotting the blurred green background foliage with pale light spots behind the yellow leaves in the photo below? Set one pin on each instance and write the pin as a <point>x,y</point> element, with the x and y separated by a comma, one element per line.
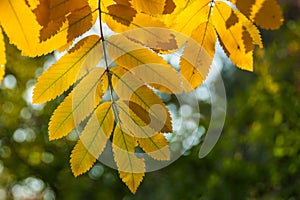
<point>257,156</point>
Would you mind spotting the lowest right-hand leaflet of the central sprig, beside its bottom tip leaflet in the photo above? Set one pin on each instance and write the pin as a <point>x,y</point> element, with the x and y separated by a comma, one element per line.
<point>151,141</point>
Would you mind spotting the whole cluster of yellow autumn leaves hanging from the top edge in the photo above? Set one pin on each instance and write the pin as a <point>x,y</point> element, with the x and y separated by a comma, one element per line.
<point>134,116</point>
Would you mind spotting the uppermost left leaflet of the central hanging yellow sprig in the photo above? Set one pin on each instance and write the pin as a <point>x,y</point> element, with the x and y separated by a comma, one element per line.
<point>70,68</point>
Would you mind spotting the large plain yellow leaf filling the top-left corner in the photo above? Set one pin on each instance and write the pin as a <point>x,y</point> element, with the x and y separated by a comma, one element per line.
<point>20,25</point>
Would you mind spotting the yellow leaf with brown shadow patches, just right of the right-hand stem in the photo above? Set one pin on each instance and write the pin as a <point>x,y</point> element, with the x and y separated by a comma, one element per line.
<point>230,26</point>
